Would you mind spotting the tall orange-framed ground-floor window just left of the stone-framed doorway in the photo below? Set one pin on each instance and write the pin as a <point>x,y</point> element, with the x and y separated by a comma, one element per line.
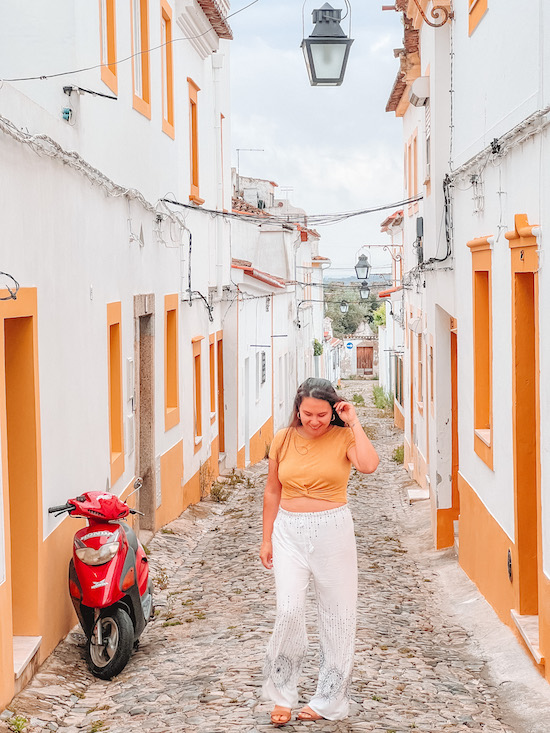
<point>114,356</point>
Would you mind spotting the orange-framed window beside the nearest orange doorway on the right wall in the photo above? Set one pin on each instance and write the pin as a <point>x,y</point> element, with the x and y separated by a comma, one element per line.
<point>482,348</point>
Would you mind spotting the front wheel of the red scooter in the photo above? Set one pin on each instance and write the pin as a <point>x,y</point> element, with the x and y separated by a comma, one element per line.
<point>110,645</point>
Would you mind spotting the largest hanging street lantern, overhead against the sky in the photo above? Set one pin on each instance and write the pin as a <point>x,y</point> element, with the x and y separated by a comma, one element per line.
<point>326,50</point>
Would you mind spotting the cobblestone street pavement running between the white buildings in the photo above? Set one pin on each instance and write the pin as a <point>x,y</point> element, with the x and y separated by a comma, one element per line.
<point>199,663</point>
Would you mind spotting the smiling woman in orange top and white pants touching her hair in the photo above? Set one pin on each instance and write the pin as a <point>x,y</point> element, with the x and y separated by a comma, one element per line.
<point>308,532</point>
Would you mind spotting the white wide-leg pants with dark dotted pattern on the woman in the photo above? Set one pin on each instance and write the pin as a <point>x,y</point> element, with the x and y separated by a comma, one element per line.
<point>319,545</point>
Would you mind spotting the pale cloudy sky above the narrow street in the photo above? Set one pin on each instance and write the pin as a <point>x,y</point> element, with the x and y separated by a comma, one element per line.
<point>335,148</point>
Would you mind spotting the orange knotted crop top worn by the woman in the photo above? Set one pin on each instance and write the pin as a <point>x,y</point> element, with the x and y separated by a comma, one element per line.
<point>314,467</point>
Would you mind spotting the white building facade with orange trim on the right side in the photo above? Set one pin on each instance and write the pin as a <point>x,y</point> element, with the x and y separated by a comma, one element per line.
<point>476,339</point>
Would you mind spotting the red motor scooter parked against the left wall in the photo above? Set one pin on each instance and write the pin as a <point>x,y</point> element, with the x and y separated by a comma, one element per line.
<point>109,580</point>
